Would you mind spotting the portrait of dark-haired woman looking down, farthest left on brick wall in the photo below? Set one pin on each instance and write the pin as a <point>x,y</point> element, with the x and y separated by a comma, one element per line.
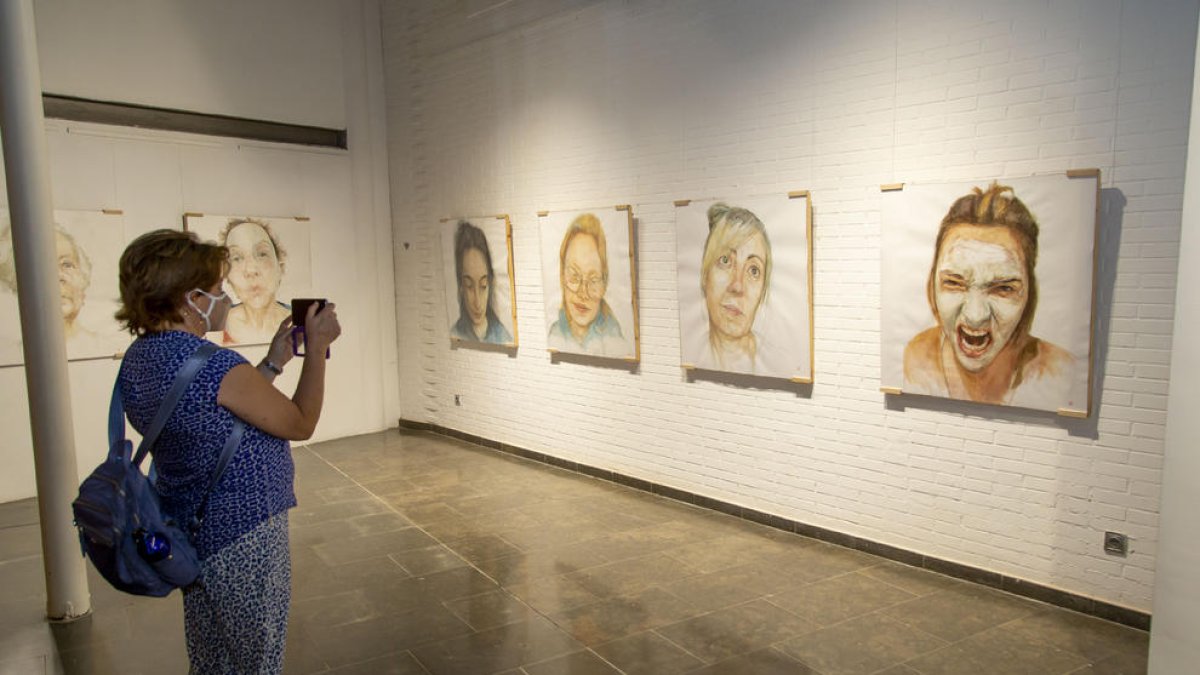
<point>477,256</point>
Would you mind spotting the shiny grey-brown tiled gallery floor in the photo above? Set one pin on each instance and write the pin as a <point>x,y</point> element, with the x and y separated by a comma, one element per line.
<point>418,554</point>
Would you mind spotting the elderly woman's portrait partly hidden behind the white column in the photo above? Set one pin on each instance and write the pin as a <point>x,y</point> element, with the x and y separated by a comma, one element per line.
<point>88,246</point>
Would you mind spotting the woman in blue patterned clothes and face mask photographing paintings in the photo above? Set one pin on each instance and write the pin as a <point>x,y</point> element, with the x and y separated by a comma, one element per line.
<point>236,614</point>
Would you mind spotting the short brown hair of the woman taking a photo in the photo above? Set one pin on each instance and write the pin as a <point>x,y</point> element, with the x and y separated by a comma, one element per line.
<point>158,271</point>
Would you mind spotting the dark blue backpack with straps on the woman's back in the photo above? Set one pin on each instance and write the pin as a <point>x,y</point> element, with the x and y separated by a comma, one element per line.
<point>122,527</point>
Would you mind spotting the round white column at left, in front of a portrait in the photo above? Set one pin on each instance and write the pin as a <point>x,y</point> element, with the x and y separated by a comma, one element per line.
<point>23,130</point>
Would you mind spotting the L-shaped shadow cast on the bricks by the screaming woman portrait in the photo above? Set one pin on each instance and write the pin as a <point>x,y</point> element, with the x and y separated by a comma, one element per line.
<point>1108,250</point>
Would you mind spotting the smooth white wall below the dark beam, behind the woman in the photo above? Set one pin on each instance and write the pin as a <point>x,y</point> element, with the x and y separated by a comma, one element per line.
<point>316,183</point>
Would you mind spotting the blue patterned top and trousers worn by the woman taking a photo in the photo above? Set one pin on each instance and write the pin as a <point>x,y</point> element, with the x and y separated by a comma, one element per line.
<point>236,614</point>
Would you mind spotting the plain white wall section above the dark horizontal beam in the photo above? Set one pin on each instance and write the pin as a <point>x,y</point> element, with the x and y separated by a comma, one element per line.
<point>218,57</point>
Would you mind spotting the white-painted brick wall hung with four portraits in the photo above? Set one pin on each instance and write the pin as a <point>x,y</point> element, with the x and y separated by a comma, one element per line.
<point>542,106</point>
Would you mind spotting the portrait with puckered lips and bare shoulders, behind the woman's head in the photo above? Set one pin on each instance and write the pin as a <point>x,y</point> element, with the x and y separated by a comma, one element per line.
<point>271,264</point>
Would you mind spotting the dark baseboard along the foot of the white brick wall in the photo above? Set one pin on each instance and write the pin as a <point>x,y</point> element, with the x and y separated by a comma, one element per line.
<point>1048,595</point>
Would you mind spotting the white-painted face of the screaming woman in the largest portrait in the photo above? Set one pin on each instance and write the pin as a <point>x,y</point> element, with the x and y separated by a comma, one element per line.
<point>981,290</point>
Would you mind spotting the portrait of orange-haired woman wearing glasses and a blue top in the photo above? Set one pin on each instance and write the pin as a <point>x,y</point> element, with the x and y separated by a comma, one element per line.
<point>590,283</point>
